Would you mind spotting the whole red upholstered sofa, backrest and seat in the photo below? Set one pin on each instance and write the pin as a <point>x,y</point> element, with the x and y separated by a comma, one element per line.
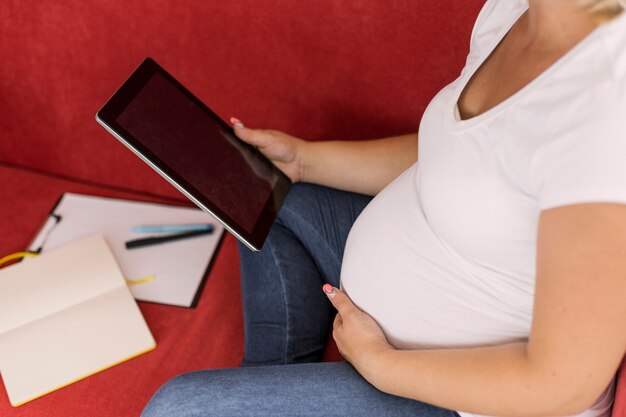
<point>320,70</point>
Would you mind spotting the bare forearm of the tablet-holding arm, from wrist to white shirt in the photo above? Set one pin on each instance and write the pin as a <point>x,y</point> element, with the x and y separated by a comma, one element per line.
<point>359,166</point>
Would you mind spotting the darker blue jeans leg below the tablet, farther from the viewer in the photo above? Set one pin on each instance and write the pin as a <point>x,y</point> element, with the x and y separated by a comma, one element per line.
<point>287,317</point>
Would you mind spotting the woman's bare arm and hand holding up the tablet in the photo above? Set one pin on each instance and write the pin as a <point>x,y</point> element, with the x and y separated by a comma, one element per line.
<point>360,166</point>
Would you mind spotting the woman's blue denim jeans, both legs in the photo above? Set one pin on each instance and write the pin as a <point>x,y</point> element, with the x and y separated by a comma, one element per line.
<point>287,320</point>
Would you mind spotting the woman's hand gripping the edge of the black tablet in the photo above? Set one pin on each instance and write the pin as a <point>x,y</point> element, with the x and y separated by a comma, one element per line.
<point>283,150</point>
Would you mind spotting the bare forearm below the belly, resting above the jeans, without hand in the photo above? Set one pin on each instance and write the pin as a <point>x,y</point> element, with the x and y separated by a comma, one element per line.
<point>498,380</point>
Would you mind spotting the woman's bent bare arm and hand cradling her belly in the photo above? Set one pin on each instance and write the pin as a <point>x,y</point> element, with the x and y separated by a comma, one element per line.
<point>577,340</point>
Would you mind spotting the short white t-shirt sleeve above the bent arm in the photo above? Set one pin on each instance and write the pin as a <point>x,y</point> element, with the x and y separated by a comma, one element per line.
<point>585,162</point>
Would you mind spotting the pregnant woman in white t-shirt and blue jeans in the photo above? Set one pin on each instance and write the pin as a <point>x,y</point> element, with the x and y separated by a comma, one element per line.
<point>487,277</point>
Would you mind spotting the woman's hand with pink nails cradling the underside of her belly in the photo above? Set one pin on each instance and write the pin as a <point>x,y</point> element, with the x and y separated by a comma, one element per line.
<point>359,338</point>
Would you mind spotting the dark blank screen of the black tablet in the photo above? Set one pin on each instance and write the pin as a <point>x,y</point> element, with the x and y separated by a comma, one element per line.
<point>196,147</point>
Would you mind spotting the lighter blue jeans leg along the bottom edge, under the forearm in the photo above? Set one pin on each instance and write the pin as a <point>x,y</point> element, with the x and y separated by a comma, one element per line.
<point>320,389</point>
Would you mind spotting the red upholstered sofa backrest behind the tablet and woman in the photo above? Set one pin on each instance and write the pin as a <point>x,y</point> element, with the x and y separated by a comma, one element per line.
<point>331,69</point>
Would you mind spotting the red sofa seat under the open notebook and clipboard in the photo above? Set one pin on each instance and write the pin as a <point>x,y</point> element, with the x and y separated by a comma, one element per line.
<point>209,336</point>
